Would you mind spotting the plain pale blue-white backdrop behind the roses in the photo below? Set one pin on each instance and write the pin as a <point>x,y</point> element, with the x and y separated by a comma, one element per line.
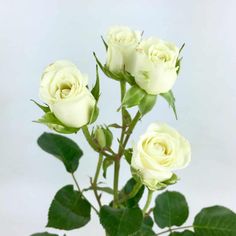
<point>36,33</point>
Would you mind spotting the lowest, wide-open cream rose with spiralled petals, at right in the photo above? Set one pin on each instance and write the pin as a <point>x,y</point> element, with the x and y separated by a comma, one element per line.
<point>159,152</point>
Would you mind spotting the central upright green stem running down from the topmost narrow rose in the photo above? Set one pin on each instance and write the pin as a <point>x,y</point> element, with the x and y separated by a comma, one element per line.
<point>118,156</point>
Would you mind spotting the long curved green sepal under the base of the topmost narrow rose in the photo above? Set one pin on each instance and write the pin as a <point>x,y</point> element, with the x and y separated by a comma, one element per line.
<point>118,76</point>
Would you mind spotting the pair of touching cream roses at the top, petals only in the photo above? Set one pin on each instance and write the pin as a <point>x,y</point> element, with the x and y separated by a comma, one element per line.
<point>152,62</point>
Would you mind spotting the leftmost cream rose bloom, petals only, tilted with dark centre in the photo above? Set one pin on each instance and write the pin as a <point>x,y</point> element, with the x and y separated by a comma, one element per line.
<point>64,89</point>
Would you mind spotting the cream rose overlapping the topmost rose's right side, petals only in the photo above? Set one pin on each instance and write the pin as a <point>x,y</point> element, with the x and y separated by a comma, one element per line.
<point>155,67</point>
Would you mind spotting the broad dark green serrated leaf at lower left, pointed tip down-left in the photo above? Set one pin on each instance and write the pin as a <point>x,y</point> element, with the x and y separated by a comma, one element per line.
<point>68,210</point>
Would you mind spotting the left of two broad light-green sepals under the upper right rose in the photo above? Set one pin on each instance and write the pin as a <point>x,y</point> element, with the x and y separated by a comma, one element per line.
<point>133,96</point>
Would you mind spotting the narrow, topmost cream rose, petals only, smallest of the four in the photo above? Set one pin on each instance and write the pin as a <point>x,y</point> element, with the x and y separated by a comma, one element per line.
<point>122,43</point>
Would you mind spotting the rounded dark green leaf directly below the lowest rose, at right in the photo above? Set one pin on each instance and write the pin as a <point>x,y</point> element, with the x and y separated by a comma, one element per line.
<point>170,209</point>
